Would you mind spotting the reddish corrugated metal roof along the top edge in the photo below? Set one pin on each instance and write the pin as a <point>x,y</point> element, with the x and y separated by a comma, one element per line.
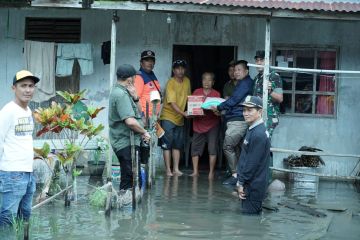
<point>306,5</point>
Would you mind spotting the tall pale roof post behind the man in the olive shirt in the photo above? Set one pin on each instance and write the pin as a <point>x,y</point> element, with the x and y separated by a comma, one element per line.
<point>115,19</point>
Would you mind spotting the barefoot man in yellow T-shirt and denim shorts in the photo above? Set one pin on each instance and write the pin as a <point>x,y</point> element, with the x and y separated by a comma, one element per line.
<point>172,116</point>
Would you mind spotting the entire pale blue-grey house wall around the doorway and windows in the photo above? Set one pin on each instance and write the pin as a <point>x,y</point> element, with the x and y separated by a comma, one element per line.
<point>137,31</point>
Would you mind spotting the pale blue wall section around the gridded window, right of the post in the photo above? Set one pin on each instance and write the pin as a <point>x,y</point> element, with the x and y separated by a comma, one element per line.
<point>335,135</point>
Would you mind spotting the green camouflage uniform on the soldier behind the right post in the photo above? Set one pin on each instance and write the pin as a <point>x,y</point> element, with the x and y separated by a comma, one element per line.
<point>273,108</point>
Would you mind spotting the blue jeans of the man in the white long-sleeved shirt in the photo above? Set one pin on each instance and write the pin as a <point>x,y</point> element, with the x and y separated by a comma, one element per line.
<point>16,193</point>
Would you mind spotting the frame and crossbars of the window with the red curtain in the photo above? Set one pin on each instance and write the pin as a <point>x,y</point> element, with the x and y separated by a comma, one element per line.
<point>314,93</point>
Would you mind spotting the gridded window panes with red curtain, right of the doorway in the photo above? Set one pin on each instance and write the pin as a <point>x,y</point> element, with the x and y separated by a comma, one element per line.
<point>308,93</point>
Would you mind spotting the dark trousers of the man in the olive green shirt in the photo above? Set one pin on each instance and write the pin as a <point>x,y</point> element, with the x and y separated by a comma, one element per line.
<point>124,156</point>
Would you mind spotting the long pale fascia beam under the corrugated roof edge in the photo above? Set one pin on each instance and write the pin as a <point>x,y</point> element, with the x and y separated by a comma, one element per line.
<point>198,8</point>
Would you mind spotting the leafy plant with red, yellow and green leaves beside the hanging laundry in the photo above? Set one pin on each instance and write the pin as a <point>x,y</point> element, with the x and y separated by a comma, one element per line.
<point>73,121</point>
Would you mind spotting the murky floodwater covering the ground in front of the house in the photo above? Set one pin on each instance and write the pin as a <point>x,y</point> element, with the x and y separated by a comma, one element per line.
<point>194,208</point>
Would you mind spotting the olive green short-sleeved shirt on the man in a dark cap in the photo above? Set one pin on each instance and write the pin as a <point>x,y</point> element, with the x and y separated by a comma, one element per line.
<point>121,107</point>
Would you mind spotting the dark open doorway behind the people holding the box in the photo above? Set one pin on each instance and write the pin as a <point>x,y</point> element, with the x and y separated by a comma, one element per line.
<point>202,59</point>
